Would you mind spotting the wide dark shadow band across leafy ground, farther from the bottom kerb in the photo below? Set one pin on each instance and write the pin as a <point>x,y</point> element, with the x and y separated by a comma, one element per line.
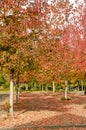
<point>51,102</point>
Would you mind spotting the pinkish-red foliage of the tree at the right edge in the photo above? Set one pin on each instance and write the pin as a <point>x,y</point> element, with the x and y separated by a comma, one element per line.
<point>74,38</point>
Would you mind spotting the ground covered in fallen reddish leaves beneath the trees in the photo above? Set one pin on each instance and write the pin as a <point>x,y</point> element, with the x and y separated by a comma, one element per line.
<point>41,109</point>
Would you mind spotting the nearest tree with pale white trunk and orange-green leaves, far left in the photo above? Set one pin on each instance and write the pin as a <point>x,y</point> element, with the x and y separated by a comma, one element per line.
<point>14,19</point>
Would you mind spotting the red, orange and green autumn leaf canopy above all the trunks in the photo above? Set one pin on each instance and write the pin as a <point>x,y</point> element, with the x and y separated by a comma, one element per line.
<point>43,40</point>
